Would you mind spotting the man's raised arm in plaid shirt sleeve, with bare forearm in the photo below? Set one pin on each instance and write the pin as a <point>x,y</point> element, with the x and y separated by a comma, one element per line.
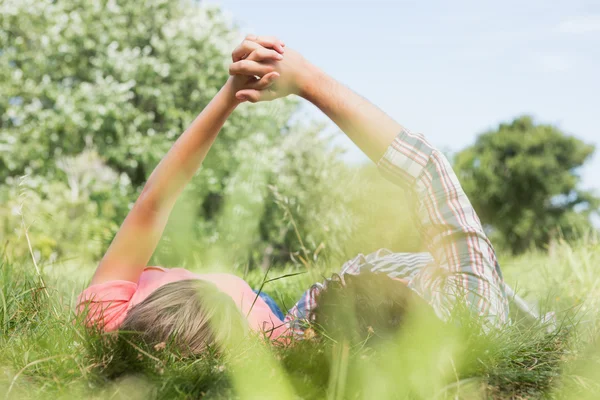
<point>447,222</point>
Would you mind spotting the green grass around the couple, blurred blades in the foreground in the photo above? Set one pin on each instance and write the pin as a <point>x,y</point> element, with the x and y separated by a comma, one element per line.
<point>44,353</point>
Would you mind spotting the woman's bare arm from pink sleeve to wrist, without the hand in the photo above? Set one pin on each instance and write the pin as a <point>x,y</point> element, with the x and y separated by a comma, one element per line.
<point>141,231</point>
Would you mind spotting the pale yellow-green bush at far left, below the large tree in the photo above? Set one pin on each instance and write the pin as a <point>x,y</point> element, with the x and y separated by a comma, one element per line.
<point>73,216</point>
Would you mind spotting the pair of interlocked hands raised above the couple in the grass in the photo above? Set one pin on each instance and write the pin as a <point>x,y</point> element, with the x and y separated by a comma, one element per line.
<point>292,70</point>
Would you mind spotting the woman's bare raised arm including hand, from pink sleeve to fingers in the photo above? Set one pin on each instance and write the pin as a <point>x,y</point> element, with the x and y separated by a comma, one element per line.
<point>141,231</point>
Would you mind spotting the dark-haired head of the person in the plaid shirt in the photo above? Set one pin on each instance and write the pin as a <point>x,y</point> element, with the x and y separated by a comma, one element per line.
<point>365,306</point>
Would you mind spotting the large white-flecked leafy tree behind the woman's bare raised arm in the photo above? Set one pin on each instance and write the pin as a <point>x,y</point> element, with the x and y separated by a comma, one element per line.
<point>121,80</point>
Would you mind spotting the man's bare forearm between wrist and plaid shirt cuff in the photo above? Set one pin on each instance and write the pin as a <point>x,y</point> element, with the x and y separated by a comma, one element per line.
<point>366,125</point>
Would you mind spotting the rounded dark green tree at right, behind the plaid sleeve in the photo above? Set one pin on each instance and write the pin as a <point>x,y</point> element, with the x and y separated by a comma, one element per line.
<point>523,181</point>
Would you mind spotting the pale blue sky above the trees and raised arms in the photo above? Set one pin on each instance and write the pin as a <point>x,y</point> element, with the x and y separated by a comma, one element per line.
<point>450,69</point>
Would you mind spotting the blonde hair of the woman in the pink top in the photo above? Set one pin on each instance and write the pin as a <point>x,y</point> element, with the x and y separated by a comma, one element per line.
<point>191,314</point>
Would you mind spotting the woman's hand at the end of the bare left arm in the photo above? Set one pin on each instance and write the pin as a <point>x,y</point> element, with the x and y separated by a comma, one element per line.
<point>256,56</point>
